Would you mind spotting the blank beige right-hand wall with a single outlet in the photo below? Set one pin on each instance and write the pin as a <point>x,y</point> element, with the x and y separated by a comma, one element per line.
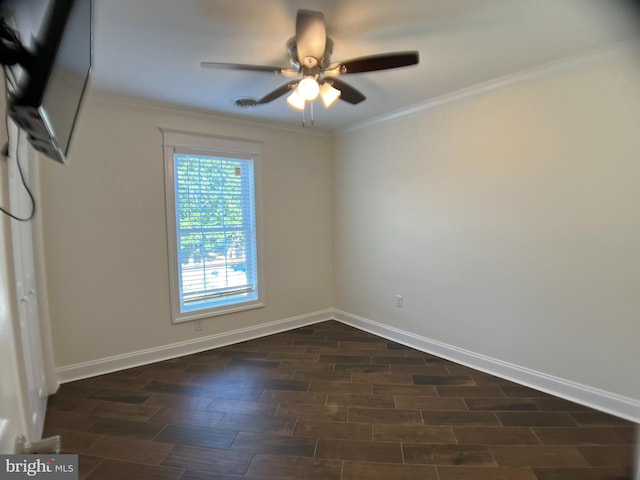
<point>509,222</point>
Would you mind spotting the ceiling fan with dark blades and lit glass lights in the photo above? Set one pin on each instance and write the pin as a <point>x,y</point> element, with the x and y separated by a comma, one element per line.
<point>312,72</point>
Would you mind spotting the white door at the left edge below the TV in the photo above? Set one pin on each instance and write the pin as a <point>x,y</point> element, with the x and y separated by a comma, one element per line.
<point>23,379</point>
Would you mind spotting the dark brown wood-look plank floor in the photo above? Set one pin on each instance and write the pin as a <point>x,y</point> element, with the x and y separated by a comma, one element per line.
<point>329,402</point>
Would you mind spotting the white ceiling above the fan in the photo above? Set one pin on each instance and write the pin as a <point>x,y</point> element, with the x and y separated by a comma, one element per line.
<point>152,49</point>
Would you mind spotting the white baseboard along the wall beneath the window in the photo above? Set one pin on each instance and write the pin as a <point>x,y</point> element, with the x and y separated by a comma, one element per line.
<point>143,357</point>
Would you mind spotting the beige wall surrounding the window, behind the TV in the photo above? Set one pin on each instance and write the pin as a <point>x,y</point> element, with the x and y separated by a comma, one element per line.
<point>105,230</point>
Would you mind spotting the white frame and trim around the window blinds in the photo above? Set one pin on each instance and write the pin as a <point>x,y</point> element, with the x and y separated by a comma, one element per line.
<point>175,141</point>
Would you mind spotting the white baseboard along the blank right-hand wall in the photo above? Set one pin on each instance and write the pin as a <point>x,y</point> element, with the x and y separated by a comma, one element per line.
<point>618,405</point>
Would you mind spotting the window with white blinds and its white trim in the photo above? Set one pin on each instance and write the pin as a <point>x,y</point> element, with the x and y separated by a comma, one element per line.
<point>212,225</point>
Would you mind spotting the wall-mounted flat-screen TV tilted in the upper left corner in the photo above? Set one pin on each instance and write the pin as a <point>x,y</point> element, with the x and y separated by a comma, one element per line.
<point>49,82</point>
